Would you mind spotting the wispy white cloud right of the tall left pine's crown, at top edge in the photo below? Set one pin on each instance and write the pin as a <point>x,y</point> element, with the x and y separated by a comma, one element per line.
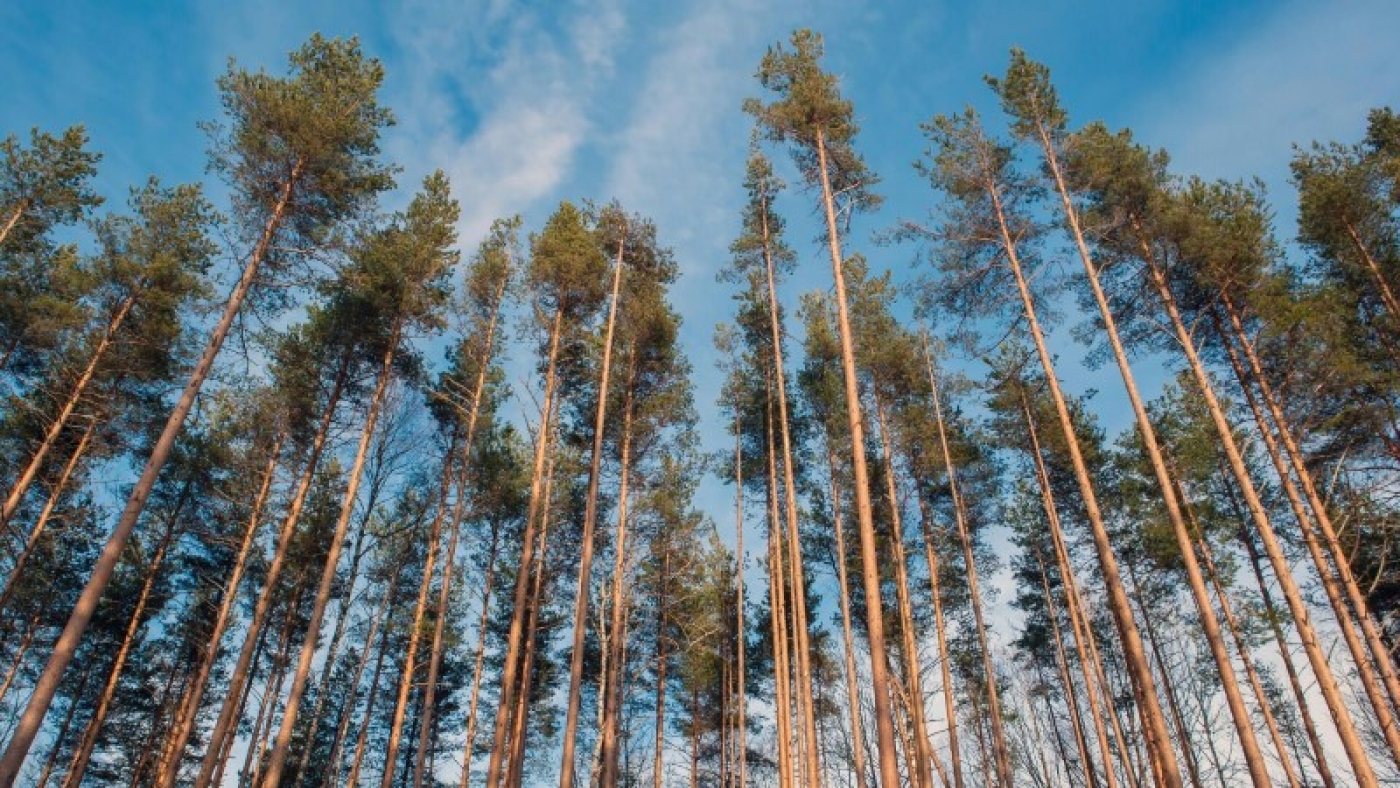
<point>499,99</point>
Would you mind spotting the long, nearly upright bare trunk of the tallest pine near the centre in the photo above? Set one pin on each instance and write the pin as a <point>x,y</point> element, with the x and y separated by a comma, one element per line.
<point>866,517</point>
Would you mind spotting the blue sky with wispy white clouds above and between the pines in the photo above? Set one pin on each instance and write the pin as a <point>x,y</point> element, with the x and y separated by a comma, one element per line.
<point>528,104</point>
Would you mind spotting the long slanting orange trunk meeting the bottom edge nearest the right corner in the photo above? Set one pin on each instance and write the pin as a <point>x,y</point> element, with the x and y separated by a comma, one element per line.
<point>1293,596</point>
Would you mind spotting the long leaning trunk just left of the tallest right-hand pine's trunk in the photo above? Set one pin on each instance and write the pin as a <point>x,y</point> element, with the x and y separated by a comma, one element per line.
<point>1144,689</point>
